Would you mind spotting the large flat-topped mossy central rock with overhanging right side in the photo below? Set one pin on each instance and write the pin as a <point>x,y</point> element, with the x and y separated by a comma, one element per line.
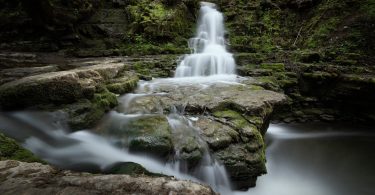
<point>230,118</point>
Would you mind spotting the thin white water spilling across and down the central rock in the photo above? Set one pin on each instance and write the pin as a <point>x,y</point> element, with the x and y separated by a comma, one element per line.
<point>209,170</point>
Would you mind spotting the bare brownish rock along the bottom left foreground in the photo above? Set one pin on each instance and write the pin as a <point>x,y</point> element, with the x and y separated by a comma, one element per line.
<point>34,178</point>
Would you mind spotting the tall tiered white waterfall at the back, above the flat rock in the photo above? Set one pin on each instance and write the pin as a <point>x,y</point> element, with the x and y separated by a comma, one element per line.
<point>209,55</point>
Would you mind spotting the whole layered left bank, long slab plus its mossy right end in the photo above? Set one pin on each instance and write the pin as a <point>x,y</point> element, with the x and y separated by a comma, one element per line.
<point>84,89</point>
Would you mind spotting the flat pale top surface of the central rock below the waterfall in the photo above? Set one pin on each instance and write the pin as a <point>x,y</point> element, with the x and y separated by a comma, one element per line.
<point>245,98</point>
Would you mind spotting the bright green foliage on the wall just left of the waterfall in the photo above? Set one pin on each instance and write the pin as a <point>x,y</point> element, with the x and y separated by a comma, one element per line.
<point>157,27</point>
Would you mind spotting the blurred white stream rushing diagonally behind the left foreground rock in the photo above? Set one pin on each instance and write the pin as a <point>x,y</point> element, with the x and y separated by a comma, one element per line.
<point>81,150</point>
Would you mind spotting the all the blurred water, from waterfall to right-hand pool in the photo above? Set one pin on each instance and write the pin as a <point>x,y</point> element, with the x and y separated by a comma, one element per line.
<point>300,160</point>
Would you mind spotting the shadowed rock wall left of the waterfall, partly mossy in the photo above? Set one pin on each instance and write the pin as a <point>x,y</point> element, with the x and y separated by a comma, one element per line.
<point>96,28</point>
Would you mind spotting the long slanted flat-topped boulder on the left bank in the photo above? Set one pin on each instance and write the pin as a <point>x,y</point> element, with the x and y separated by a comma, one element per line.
<point>61,87</point>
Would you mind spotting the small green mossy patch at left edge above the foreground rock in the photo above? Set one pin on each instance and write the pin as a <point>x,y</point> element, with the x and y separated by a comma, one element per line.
<point>11,150</point>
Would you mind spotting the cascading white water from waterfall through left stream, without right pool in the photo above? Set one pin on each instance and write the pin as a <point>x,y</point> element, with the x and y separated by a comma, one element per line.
<point>209,60</point>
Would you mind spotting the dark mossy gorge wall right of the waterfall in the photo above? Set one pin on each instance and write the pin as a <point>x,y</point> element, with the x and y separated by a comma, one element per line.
<point>339,30</point>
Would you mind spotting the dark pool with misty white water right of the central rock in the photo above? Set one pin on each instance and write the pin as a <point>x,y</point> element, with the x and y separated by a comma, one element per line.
<point>324,159</point>
